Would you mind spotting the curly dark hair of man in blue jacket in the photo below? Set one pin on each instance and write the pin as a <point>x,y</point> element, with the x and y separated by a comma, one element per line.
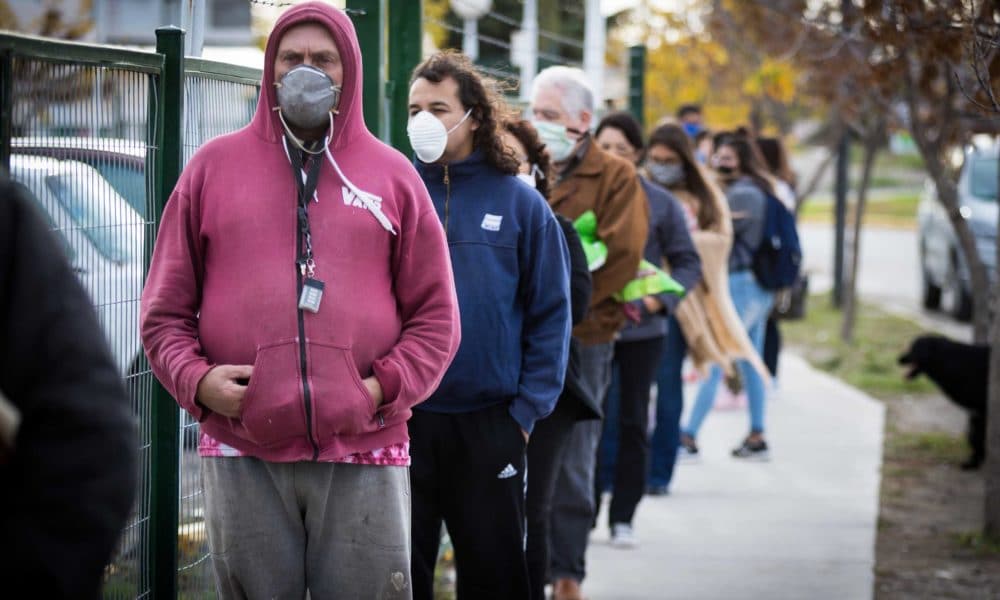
<point>478,93</point>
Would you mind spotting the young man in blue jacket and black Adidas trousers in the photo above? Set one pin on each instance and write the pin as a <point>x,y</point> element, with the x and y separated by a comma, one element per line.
<point>511,269</point>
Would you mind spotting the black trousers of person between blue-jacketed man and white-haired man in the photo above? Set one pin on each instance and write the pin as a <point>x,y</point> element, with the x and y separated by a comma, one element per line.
<point>546,451</point>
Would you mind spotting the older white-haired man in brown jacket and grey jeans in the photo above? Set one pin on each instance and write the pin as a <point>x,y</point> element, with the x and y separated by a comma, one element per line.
<point>602,195</point>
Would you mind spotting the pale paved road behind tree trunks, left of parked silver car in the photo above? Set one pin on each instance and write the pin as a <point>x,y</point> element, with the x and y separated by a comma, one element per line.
<point>890,273</point>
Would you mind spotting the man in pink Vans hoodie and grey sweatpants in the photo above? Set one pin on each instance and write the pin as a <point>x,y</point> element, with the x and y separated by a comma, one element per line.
<point>299,303</point>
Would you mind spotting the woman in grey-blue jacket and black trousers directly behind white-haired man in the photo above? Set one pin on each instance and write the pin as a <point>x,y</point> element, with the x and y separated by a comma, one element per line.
<point>640,344</point>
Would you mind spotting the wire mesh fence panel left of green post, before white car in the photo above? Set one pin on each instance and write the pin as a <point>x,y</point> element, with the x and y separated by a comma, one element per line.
<point>80,144</point>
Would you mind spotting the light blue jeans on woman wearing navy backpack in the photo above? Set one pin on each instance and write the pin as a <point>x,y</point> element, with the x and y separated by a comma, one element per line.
<point>753,303</point>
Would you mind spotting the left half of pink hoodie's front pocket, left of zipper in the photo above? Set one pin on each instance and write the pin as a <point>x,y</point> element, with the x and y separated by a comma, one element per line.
<point>272,407</point>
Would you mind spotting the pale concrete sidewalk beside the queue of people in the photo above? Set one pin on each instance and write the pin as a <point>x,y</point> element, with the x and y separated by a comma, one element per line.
<point>801,526</point>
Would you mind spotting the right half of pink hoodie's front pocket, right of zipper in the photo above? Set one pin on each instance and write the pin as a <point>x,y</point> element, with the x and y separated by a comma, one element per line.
<point>341,402</point>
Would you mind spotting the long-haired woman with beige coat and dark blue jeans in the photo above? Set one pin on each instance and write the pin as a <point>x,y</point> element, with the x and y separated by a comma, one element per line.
<point>706,325</point>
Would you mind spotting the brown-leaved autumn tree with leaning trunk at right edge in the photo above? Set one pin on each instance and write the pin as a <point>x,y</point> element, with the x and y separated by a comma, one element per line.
<point>932,67</point>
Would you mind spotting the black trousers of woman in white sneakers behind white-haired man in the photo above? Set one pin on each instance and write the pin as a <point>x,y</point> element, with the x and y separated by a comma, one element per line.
<point>635,365</point>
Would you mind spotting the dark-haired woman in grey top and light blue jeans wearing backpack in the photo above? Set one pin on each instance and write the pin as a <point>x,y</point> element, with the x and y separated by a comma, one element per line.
<point>747,185</point>
